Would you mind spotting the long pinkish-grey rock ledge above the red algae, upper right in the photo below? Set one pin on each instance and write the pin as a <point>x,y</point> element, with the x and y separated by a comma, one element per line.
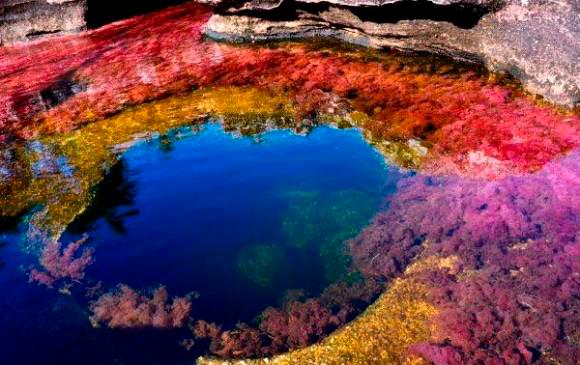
<point>536,41</point>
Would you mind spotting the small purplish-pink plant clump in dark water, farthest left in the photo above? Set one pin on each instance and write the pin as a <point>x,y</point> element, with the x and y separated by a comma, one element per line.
<point>62,264</point>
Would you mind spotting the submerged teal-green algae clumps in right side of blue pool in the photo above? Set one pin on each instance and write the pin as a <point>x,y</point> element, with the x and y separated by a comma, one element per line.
<point>313,222</point>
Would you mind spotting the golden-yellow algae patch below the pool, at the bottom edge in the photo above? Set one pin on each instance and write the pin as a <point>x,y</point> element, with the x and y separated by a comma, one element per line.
<point>381,335</point>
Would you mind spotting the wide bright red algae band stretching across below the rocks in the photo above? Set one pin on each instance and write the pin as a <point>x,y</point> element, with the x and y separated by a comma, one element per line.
<point>471,125</point>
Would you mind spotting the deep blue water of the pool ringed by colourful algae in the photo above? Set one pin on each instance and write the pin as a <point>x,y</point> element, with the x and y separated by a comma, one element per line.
<point>238,220</point>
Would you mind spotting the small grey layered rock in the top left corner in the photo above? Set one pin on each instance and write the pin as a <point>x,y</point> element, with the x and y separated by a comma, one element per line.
<point>22,20</point>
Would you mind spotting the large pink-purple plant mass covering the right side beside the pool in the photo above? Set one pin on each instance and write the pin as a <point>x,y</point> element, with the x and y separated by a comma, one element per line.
<point>514,289</point>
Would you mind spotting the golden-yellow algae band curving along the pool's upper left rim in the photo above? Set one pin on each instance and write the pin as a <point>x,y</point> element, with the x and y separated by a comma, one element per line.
<point>90,151</point>
